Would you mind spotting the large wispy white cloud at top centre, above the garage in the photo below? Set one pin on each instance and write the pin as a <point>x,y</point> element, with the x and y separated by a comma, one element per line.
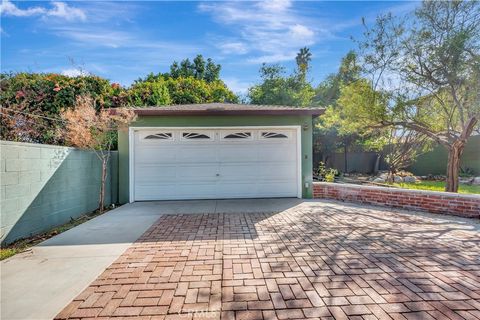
<point>272,29</point>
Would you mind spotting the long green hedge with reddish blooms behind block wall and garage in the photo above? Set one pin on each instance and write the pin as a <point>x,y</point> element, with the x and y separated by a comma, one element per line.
<point>32,101</point>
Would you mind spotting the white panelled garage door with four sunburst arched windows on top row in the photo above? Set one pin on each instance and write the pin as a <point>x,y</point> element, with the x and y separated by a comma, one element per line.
<point>215,164</point>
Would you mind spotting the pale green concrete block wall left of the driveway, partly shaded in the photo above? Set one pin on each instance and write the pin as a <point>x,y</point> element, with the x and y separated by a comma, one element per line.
<point>44,186</point>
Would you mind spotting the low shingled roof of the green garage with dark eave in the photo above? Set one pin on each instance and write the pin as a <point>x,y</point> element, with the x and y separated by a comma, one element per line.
<point>225,109</point>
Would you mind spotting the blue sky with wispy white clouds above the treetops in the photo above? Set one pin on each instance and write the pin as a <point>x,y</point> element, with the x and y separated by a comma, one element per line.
<point>123,41</point>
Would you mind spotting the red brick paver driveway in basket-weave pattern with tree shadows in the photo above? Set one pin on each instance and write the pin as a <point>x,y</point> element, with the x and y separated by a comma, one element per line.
<point>316,260</point>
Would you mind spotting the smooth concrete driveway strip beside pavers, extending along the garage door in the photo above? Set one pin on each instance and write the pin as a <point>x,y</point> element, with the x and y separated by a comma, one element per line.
<point>37,284</point>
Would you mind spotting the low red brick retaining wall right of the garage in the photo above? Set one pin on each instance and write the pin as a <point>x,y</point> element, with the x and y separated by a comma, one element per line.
<point>431,201</point>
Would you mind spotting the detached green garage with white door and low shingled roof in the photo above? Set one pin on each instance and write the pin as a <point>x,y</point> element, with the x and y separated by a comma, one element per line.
<point>217,151</point>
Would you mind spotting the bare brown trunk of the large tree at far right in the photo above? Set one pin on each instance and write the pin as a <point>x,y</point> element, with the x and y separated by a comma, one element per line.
<point>455,151</point>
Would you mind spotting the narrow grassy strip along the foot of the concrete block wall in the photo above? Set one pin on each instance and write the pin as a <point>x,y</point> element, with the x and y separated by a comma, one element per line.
<point>23,244</point>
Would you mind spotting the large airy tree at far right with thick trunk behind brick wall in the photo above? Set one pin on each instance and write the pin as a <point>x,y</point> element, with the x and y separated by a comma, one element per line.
<point>429,63</point>
